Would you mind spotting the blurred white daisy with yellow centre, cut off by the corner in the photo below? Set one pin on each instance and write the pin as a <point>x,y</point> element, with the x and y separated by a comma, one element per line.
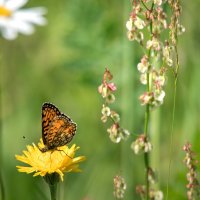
<point>14,20</point>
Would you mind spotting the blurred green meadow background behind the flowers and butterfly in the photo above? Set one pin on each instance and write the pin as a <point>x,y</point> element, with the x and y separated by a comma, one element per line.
<point>63,63</point>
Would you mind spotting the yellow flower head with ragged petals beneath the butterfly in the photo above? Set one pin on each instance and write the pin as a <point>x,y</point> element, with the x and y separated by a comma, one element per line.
<point>54,161</point>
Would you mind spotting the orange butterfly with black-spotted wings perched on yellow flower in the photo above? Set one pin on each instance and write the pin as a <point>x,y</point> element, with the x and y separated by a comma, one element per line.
<point>57,128</point>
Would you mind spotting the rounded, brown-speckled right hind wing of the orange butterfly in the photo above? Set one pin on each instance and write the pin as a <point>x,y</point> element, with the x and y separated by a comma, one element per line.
<point>60,132</point>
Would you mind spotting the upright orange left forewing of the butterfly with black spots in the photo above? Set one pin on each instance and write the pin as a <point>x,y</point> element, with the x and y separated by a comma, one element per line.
<point>49,112</point>
